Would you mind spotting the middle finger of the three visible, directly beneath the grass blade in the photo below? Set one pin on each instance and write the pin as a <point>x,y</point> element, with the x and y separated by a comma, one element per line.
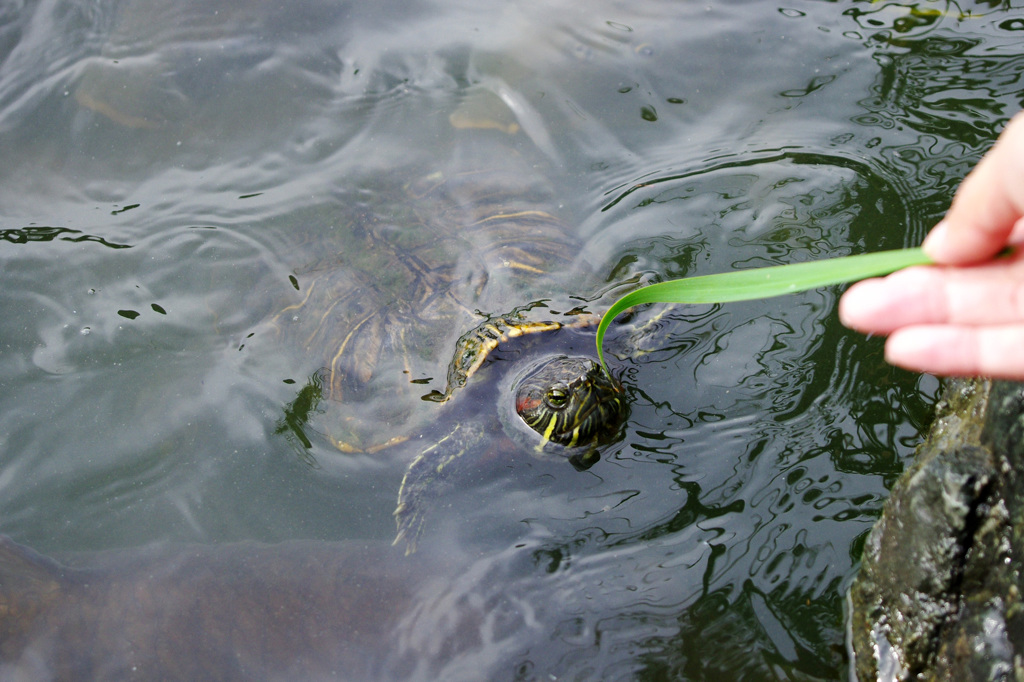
<point>992,294</point>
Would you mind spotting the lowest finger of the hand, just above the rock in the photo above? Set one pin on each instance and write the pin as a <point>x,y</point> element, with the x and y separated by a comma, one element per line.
<point>992,352</point>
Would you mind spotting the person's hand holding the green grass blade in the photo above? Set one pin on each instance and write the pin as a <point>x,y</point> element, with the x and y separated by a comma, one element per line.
<point>965,317</point>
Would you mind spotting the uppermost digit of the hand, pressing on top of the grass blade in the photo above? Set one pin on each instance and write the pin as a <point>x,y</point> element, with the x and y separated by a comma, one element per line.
<point>987,206</point>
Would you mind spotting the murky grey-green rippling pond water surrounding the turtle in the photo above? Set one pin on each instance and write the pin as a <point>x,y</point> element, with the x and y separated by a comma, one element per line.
<point>179,175</point>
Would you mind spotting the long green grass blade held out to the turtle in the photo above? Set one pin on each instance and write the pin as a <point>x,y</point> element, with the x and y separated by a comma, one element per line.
<point>763,283</point>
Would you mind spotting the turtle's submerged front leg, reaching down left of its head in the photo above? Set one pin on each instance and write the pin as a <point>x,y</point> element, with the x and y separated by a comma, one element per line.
<point>430,477</point>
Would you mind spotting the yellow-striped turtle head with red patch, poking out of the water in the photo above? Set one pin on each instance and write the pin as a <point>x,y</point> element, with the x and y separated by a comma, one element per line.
<point>572,402</point>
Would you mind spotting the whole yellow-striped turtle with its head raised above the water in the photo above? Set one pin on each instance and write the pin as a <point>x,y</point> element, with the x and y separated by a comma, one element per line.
<point>443,271</point>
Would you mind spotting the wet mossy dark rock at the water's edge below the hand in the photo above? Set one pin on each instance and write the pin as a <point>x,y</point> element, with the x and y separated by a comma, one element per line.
<point>938,592</point>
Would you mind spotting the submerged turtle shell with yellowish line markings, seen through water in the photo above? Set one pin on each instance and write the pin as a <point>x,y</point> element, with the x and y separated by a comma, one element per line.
<point>408,273</point>
